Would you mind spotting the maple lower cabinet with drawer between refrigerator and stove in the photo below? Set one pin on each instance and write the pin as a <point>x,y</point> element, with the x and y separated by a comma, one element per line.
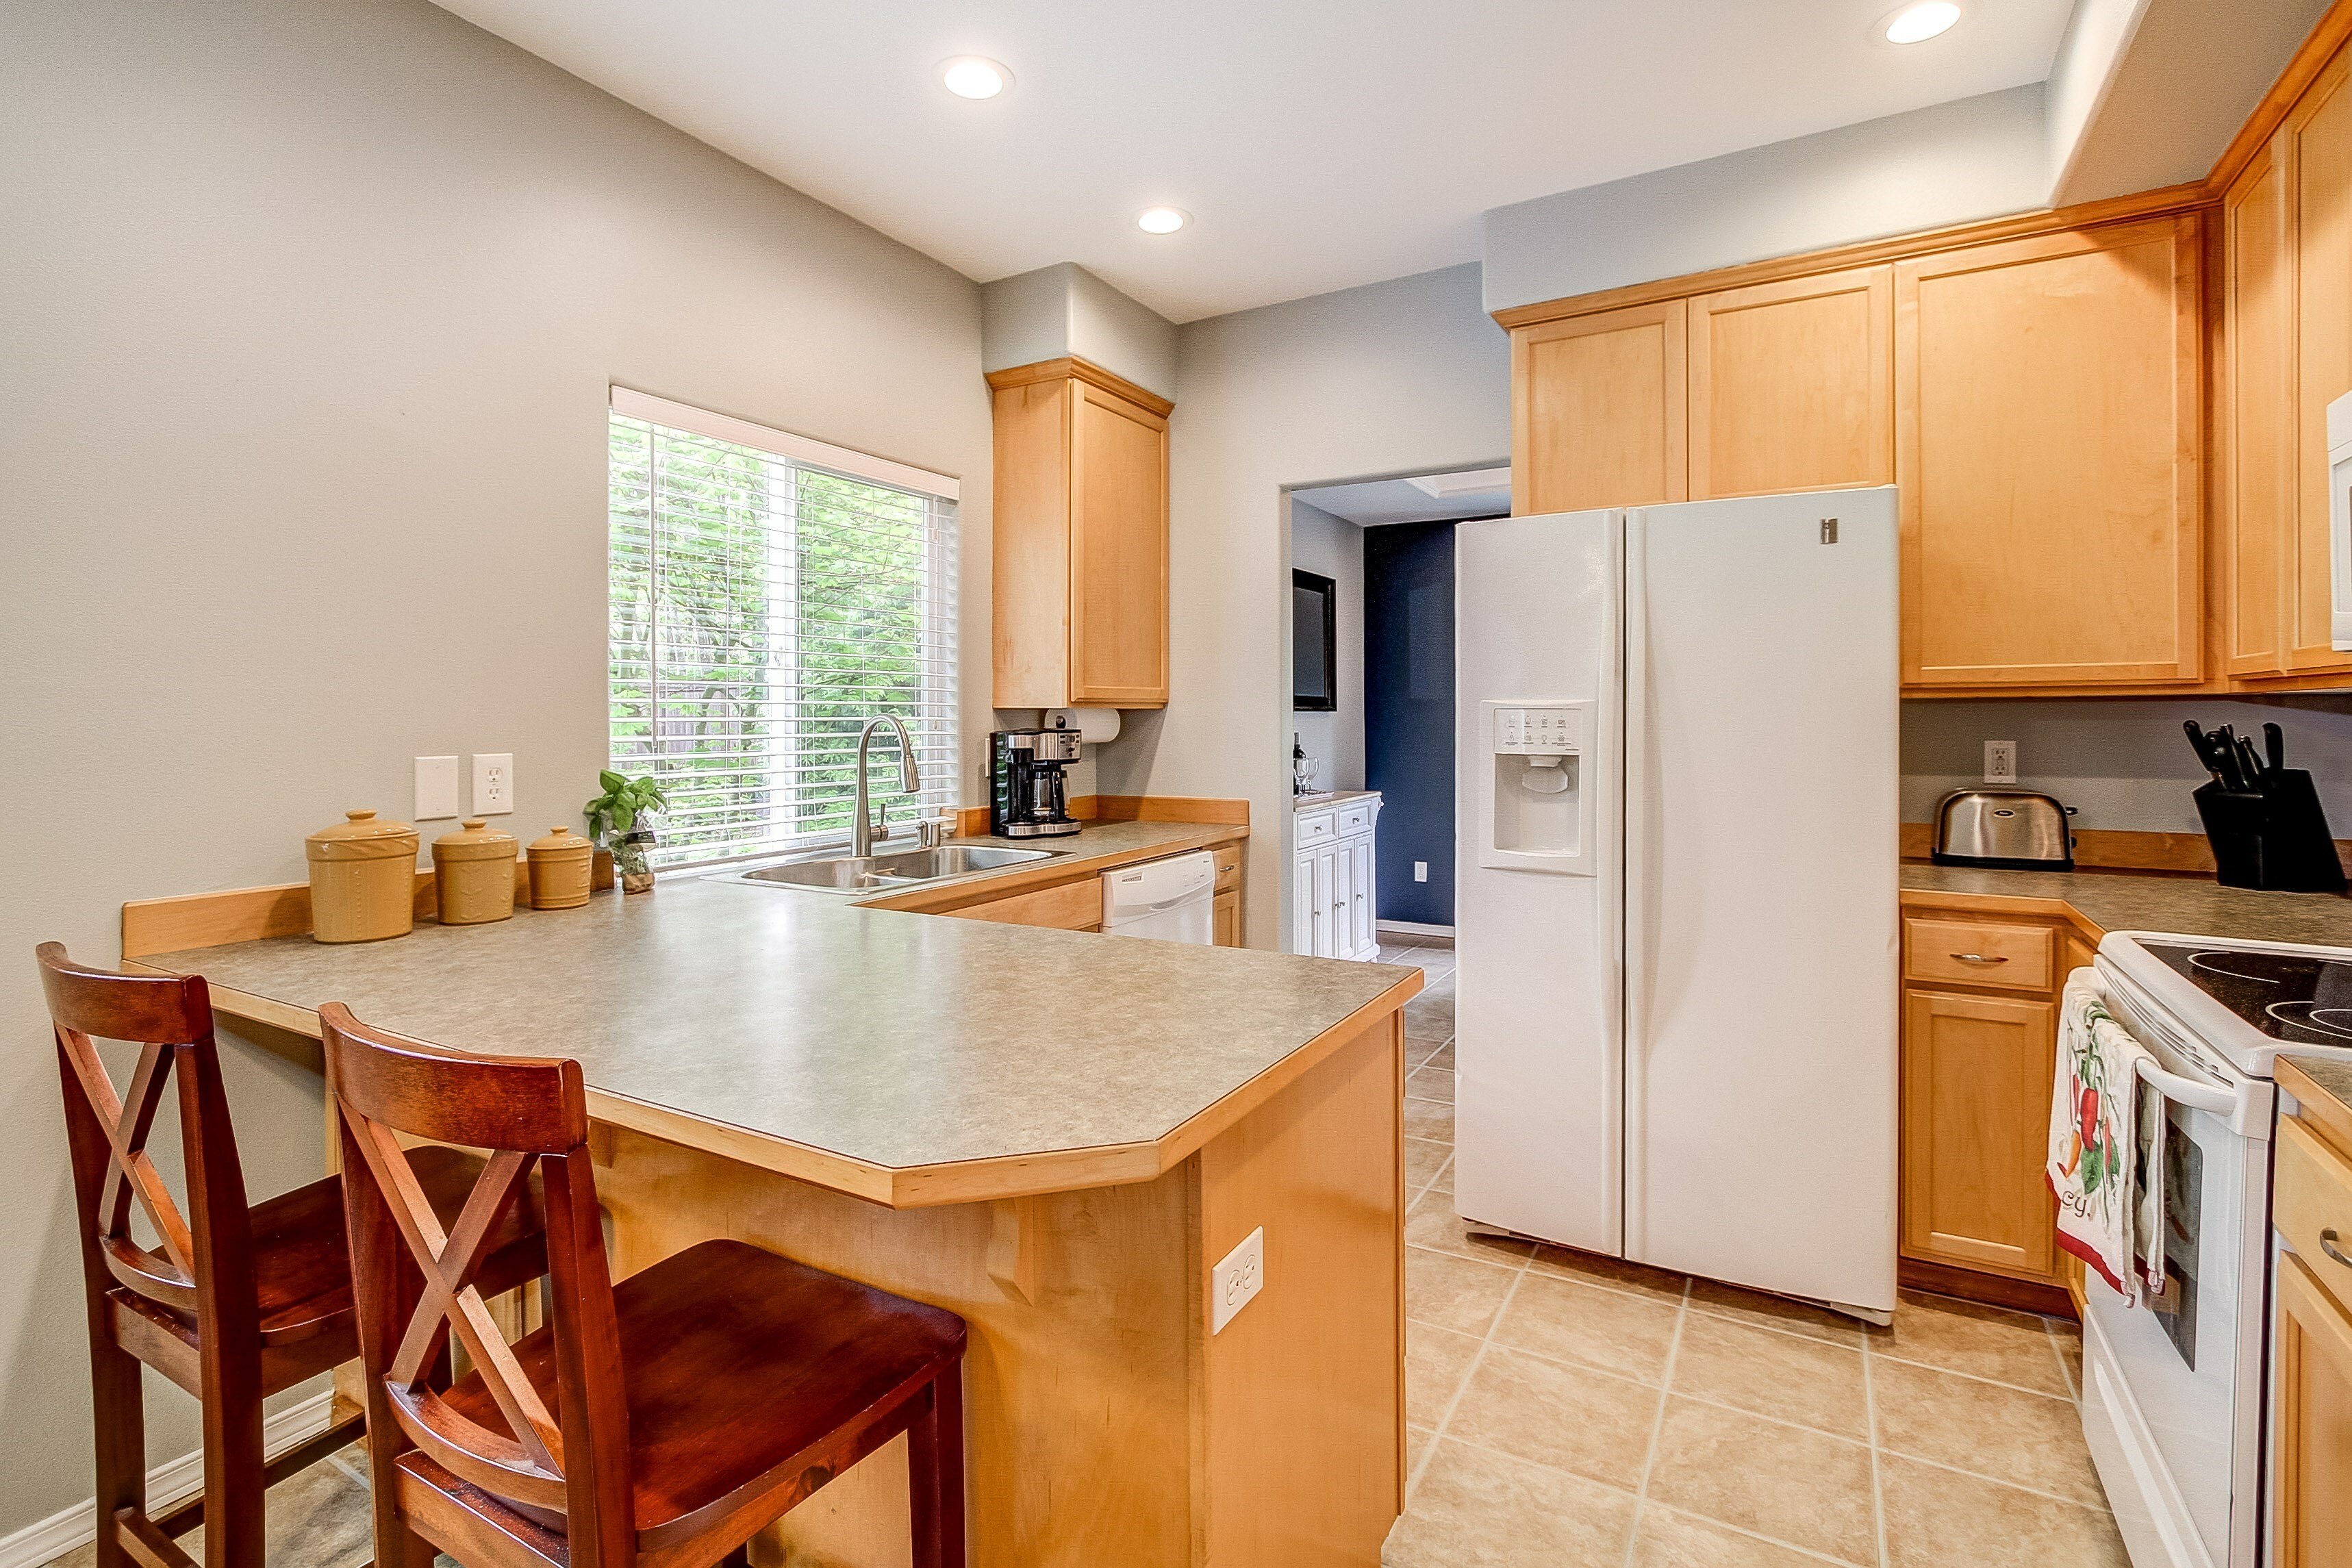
<point>1977,1094</point>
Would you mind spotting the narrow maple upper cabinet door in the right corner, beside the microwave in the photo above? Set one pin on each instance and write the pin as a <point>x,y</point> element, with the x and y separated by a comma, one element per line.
<point>2257,424</point>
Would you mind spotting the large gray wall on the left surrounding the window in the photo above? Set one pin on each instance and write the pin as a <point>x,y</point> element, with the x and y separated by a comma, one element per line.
<point>307,319</point>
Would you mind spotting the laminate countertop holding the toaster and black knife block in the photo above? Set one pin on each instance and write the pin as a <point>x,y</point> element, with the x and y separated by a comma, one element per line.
<point>2139,902</point>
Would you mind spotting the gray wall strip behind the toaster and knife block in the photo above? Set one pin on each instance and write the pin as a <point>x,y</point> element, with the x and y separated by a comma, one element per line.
<point>2120,763</point>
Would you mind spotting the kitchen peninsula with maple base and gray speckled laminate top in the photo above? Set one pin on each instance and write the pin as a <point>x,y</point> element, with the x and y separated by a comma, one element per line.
<point>1048,1132</point>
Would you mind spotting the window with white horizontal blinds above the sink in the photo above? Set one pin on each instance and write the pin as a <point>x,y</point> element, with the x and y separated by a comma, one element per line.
<point>770,596</point>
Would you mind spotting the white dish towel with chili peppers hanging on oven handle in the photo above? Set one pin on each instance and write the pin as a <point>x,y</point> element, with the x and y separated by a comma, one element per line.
<point>2106,1160</point>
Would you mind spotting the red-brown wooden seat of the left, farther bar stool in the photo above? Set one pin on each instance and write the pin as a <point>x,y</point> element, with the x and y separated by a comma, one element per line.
<point>302,1254</point>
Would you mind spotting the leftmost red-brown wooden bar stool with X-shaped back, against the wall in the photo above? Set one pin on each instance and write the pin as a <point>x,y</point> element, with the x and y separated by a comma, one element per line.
<point>239,1304</point>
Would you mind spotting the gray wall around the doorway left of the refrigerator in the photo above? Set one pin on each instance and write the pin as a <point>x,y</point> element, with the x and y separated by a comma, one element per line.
<point>1389,380</point>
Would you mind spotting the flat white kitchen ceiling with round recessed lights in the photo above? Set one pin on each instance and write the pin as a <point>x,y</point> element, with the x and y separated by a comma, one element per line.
<point>1316,145</point>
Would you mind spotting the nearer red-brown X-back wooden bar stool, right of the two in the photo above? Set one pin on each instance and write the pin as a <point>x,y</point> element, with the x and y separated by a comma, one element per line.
<point>657,1423</point>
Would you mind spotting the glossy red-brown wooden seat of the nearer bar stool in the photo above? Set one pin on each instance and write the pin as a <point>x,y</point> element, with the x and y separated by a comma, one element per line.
<point>737,1362</point>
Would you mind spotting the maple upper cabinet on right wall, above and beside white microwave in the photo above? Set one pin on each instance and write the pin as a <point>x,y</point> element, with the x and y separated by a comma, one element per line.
<point>2287,354</point>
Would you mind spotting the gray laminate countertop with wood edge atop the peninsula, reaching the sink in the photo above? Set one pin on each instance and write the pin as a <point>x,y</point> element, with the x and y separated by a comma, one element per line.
<point>907,1059</point>
